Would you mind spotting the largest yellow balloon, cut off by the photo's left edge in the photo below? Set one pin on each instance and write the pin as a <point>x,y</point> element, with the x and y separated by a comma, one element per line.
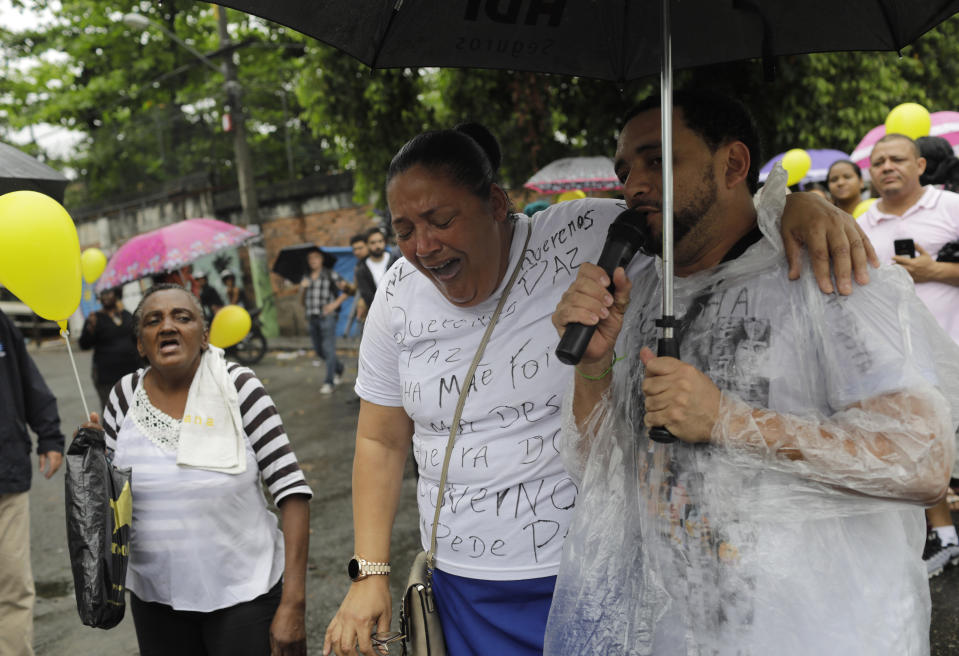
<point>40,254</point>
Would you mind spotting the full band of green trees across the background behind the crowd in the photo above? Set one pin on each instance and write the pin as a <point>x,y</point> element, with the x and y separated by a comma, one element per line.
<point>150,111</point>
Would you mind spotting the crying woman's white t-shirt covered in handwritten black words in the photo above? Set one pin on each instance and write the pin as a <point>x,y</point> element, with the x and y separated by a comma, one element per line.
<point>508,500</point>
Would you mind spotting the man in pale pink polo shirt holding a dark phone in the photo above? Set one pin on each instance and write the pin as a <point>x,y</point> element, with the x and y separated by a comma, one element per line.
<point>930,218</point>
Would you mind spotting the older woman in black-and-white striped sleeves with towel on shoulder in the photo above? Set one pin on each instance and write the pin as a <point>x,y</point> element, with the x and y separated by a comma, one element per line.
<point>210,572</point>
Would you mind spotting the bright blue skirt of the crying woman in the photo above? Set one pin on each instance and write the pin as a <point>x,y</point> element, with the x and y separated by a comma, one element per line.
<point>482,617</point>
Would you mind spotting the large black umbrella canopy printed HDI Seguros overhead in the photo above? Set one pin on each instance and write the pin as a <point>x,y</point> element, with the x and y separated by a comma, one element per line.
<point>615,40</point>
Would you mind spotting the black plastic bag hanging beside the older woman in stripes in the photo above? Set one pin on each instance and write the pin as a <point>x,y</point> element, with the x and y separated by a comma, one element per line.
<point>99,510</point>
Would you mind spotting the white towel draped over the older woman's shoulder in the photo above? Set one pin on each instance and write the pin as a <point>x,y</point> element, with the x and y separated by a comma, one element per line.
<point>212,436</point>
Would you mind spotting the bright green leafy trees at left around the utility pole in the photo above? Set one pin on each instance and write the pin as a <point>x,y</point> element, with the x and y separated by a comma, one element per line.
<point>151,111</point>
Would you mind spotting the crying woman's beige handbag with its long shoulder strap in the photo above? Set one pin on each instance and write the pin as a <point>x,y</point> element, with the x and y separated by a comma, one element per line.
<point>419,619</point>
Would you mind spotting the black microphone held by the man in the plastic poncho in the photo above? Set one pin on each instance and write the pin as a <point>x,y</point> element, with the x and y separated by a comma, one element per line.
<point>626,235</point>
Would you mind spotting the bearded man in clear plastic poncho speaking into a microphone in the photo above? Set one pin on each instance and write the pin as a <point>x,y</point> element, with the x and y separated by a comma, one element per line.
<point>812,428</point>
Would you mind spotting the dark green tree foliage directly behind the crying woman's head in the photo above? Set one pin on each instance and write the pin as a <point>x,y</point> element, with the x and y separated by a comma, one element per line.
<point>367,115</point>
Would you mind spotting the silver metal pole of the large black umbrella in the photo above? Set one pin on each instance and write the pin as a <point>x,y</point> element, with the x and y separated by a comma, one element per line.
<point>668,345</point>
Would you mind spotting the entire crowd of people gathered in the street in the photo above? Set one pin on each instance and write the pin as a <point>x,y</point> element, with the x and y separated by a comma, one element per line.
<point>815,407</point>
